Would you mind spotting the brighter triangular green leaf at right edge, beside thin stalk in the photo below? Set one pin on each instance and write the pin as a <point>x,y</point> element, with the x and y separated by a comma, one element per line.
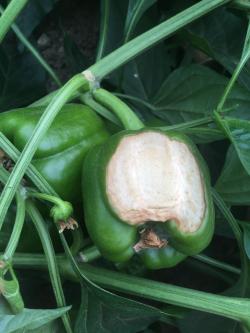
<point>238,132</point>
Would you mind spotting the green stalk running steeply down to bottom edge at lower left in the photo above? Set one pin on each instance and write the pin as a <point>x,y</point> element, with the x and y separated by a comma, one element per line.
<point>50,259</point>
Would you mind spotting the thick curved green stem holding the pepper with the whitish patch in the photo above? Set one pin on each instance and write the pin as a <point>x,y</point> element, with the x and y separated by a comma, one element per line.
<point>127,117</point>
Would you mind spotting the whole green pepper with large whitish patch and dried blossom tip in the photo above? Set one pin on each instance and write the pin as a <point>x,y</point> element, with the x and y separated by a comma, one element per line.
<point>141,181</point>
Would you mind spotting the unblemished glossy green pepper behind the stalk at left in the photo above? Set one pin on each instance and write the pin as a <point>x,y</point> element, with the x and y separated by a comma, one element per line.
<point>59,157</point>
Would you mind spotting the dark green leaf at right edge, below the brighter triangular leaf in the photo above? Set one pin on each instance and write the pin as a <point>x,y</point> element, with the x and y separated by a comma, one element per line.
<point>234,182</point>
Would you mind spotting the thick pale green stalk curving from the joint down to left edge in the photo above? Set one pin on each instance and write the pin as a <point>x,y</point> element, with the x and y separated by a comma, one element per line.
<point>77,82</point>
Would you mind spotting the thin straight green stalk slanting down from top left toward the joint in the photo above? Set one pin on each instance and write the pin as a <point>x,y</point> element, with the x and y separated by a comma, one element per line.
<point>33,51</point>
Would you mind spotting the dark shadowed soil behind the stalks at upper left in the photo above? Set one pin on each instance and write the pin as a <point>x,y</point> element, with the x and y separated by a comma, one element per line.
<point>80,21</point>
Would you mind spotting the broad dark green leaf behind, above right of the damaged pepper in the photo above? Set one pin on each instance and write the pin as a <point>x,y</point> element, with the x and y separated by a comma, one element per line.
<point>193,92</point>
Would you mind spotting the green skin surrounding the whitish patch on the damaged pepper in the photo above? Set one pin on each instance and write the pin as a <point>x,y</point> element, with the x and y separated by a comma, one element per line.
<point>113,237</point>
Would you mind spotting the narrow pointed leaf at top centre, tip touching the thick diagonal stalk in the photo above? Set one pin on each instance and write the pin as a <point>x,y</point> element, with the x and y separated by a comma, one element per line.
<point>136,9</point>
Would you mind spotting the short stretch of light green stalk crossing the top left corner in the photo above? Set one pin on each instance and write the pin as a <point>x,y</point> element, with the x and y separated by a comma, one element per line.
<point>9,15</point>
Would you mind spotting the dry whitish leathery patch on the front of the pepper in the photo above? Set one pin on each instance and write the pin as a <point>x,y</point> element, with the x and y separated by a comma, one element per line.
<point>152,177</point>
